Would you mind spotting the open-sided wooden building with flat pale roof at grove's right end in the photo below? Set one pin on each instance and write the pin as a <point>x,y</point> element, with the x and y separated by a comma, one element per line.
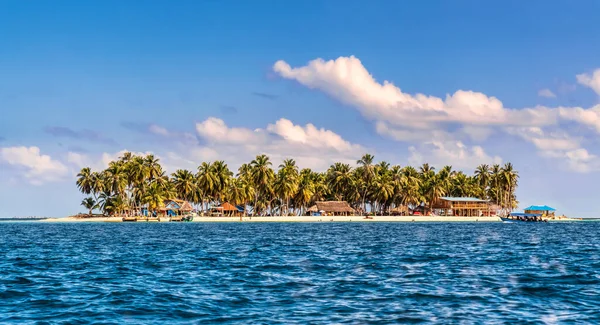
<point>461,206</point>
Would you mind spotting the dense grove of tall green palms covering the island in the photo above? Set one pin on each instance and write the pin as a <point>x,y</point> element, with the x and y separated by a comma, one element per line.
<point>135,181</point>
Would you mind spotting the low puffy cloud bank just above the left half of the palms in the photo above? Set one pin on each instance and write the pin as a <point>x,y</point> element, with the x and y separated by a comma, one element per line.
<point>310,146</point>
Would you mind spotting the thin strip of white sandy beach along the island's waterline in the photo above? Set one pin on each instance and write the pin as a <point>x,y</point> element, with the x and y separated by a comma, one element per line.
<point>301,219</point>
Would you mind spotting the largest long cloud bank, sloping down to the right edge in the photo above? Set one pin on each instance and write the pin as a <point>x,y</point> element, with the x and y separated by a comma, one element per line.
<point>425,120</point>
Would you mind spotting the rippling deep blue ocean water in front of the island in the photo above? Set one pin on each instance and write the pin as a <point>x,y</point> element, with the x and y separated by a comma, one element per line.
<point>295,273</point>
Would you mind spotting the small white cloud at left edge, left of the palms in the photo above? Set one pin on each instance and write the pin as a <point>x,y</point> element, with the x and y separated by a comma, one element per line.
<point>32,165</point>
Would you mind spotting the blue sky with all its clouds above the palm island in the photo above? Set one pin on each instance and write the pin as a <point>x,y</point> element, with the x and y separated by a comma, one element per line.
<point>194,80</point>
